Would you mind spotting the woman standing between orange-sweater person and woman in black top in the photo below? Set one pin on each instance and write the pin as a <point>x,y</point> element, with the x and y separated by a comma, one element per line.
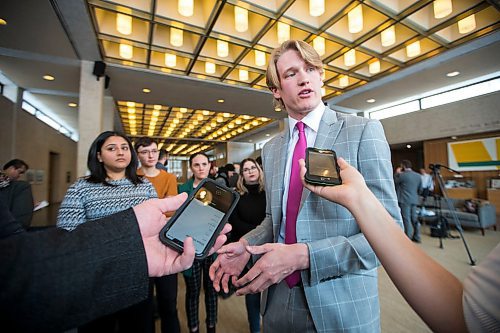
<point>200,166</point>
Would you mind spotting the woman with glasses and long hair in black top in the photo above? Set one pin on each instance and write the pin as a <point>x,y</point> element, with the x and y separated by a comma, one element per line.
<point>249,213</point>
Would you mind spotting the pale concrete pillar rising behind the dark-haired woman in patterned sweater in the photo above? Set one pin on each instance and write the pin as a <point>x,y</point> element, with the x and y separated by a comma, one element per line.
<point>90,113</point>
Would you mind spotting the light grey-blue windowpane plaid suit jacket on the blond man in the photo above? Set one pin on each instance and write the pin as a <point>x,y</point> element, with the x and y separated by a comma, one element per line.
<point>341,282</point>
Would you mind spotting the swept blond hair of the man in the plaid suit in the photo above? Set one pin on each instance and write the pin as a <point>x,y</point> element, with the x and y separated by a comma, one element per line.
<point>306,52</point>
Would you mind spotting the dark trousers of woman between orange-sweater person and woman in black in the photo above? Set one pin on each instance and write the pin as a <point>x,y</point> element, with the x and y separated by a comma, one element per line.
<point>198,274</point>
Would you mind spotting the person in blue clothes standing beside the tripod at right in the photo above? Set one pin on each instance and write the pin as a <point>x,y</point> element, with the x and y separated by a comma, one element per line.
<point>408,185</point>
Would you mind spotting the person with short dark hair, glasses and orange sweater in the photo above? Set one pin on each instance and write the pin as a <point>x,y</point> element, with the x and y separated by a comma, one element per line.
<point>165,185</point>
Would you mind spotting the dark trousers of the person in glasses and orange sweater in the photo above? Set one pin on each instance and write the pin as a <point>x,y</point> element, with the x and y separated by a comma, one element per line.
<point>166,296</point>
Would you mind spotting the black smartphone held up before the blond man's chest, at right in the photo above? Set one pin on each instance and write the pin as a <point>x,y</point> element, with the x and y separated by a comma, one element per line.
<point>322,167</point>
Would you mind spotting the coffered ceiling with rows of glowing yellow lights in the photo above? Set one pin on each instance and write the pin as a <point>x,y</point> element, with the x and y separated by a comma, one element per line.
<point>218,58</point>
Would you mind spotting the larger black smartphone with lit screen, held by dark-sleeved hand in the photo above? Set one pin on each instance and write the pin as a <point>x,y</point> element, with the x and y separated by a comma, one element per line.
<point>201,217</point>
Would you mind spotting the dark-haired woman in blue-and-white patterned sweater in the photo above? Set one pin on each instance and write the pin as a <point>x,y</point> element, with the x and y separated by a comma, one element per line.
<point>112,186</point>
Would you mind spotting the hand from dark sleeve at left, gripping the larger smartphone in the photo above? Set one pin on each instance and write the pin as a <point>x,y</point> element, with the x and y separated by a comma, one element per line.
<point>162,260</point>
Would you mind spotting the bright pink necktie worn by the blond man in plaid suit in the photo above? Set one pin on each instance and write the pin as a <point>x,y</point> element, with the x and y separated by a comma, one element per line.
<point>294,196</point>
